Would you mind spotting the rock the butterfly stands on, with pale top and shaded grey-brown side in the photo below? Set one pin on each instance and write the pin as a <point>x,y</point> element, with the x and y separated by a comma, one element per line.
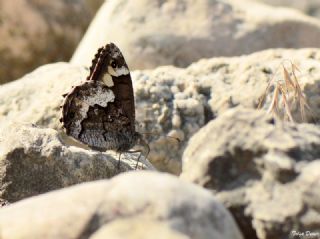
<point>36,160</point>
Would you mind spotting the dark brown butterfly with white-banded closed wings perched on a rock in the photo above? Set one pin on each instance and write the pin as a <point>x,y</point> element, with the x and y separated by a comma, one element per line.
<point>100,112</point>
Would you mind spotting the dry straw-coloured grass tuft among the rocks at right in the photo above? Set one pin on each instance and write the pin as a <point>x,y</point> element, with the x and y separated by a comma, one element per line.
<point>286,93</point>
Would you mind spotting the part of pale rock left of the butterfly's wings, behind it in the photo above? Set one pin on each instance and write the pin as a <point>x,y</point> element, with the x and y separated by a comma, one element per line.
<point>36,98</point>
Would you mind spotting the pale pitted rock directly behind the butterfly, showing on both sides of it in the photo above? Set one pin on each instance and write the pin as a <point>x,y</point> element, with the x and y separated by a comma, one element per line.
<point>170,101</point>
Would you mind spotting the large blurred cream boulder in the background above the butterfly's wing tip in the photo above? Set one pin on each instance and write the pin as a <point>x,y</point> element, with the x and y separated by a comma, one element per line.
<point>179,32</point>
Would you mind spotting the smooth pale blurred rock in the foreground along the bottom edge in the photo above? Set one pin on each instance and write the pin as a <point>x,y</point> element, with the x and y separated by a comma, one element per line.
<point>121,208</point>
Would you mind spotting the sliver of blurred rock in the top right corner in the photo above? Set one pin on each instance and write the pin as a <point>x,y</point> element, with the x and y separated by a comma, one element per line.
<point>310,7</point>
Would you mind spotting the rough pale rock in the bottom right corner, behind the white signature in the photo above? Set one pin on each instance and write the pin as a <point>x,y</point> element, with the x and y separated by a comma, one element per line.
<point>279,210</point>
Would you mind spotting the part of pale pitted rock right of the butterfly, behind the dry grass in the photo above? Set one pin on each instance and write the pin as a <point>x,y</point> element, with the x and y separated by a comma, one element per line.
<point>179,102</point>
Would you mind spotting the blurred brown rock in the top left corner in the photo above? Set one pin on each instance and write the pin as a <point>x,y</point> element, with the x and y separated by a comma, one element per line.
<point>36,32</point>
